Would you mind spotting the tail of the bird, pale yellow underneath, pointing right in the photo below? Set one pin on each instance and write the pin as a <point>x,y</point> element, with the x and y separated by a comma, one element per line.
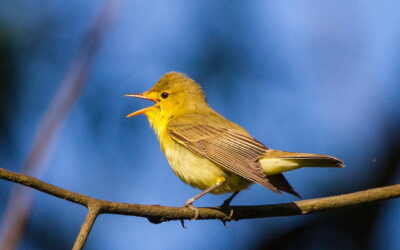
<point>276,162</point>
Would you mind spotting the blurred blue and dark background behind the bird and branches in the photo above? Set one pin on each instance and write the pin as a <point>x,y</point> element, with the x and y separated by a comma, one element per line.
<point>315,76</point>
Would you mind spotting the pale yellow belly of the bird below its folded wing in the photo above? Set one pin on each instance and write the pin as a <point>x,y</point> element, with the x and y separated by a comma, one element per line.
<point>200,172</point>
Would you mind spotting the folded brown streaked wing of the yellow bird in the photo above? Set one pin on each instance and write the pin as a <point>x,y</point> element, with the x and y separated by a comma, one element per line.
<point>229,148</point>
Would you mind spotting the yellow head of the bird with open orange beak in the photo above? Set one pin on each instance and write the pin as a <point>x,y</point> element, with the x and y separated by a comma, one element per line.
<point>173,94</point>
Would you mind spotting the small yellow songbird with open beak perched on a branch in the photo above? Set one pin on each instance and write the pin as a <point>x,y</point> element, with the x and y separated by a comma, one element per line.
<point>211,153</point>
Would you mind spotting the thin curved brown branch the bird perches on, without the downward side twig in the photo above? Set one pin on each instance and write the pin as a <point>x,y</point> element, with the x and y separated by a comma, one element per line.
<point>156,213</point>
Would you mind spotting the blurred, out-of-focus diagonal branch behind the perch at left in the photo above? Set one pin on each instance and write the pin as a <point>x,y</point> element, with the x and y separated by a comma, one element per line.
<point>20,201</point>
